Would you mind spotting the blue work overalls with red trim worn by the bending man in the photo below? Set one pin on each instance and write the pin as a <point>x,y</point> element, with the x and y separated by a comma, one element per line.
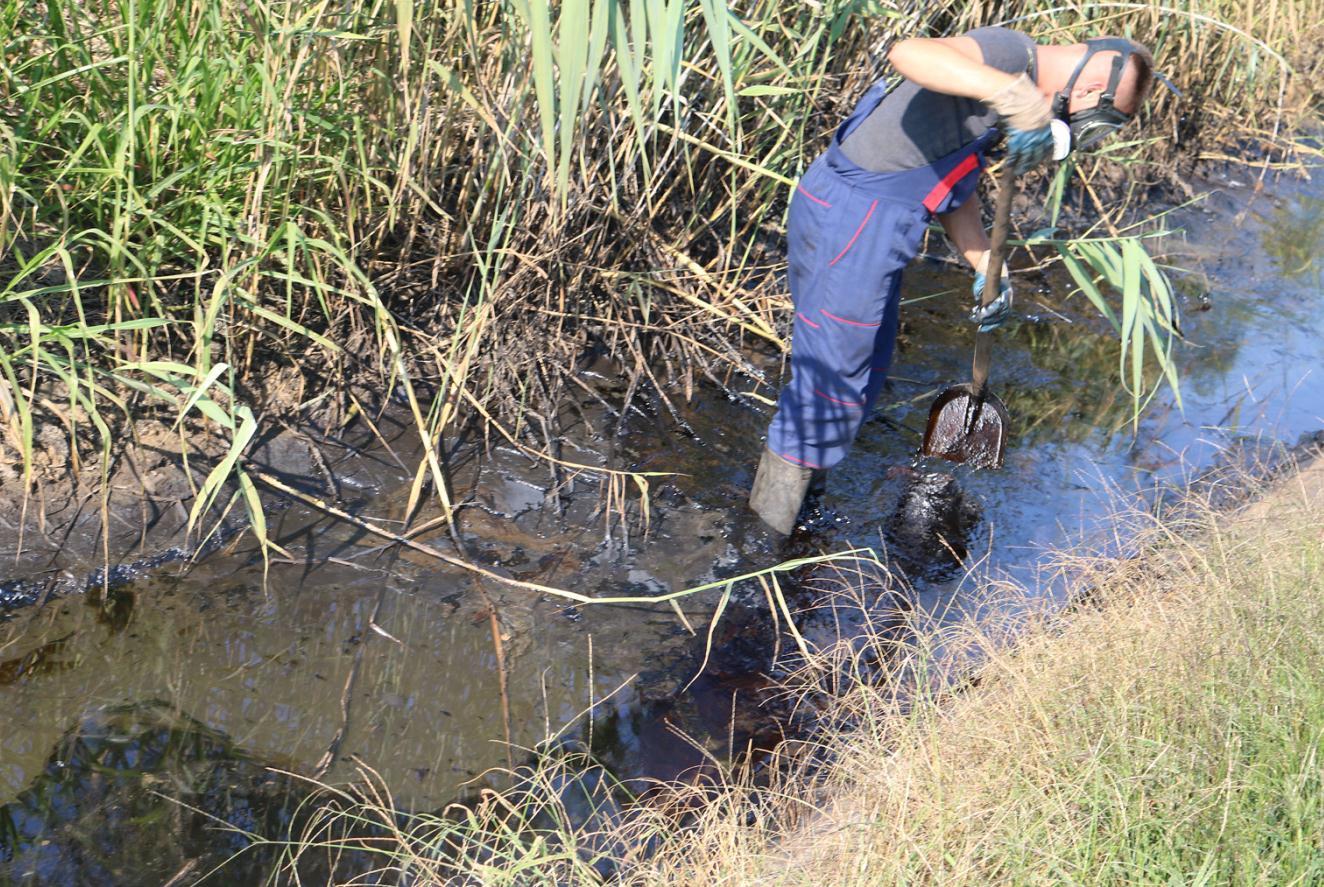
<point>851,235</point>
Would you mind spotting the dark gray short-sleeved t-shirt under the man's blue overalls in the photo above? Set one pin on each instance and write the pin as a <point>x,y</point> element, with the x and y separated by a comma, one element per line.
<point>913,126</point>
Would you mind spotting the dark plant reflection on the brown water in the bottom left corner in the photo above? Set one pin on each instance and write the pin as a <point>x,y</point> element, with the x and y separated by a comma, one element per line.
<point>137,778</point>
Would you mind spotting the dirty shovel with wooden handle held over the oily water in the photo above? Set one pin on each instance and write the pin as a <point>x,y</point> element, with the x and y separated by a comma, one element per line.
<point>969,423</point>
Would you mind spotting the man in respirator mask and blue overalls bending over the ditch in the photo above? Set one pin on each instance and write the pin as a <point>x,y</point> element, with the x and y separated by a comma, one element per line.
<point>859,215</point>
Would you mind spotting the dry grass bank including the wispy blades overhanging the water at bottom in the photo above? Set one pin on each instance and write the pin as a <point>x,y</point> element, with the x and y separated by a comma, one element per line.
<point>1167,729</point>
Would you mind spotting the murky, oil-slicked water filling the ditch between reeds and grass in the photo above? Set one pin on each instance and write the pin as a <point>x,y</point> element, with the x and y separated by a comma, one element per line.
<point>134,724</point>
